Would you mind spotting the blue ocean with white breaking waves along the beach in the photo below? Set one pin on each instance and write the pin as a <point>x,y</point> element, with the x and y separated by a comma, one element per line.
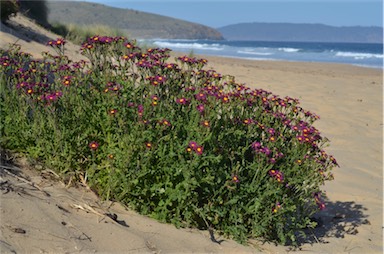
<point>361,54</point>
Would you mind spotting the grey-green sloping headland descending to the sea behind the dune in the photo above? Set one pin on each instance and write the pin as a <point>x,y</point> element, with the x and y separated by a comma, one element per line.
<point>137,24</point>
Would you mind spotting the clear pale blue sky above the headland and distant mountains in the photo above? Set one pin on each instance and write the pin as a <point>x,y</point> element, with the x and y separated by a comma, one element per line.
<point>217,13</point>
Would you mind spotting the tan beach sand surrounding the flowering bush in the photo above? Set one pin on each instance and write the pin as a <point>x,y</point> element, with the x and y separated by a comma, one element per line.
<point>39,214</point>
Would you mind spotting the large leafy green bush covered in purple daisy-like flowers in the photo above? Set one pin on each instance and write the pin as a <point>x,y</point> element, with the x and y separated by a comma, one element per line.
<point>174,141</point>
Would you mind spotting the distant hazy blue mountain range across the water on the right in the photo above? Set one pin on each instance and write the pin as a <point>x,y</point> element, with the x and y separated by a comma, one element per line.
<point>301,32</point>
